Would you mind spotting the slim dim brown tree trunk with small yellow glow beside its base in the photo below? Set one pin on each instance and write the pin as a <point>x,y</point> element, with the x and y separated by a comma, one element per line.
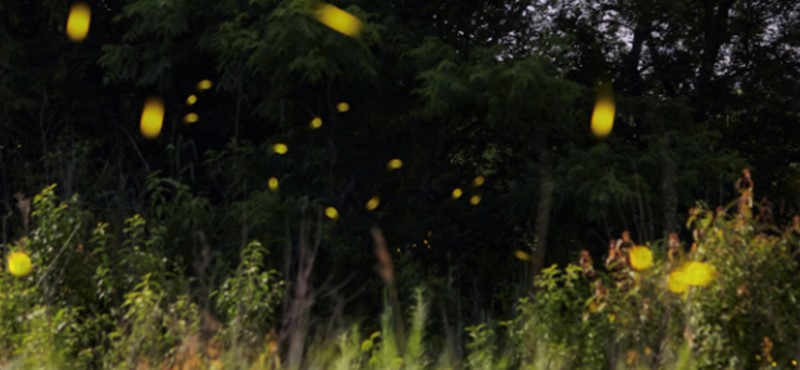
<point>544,204</point>
